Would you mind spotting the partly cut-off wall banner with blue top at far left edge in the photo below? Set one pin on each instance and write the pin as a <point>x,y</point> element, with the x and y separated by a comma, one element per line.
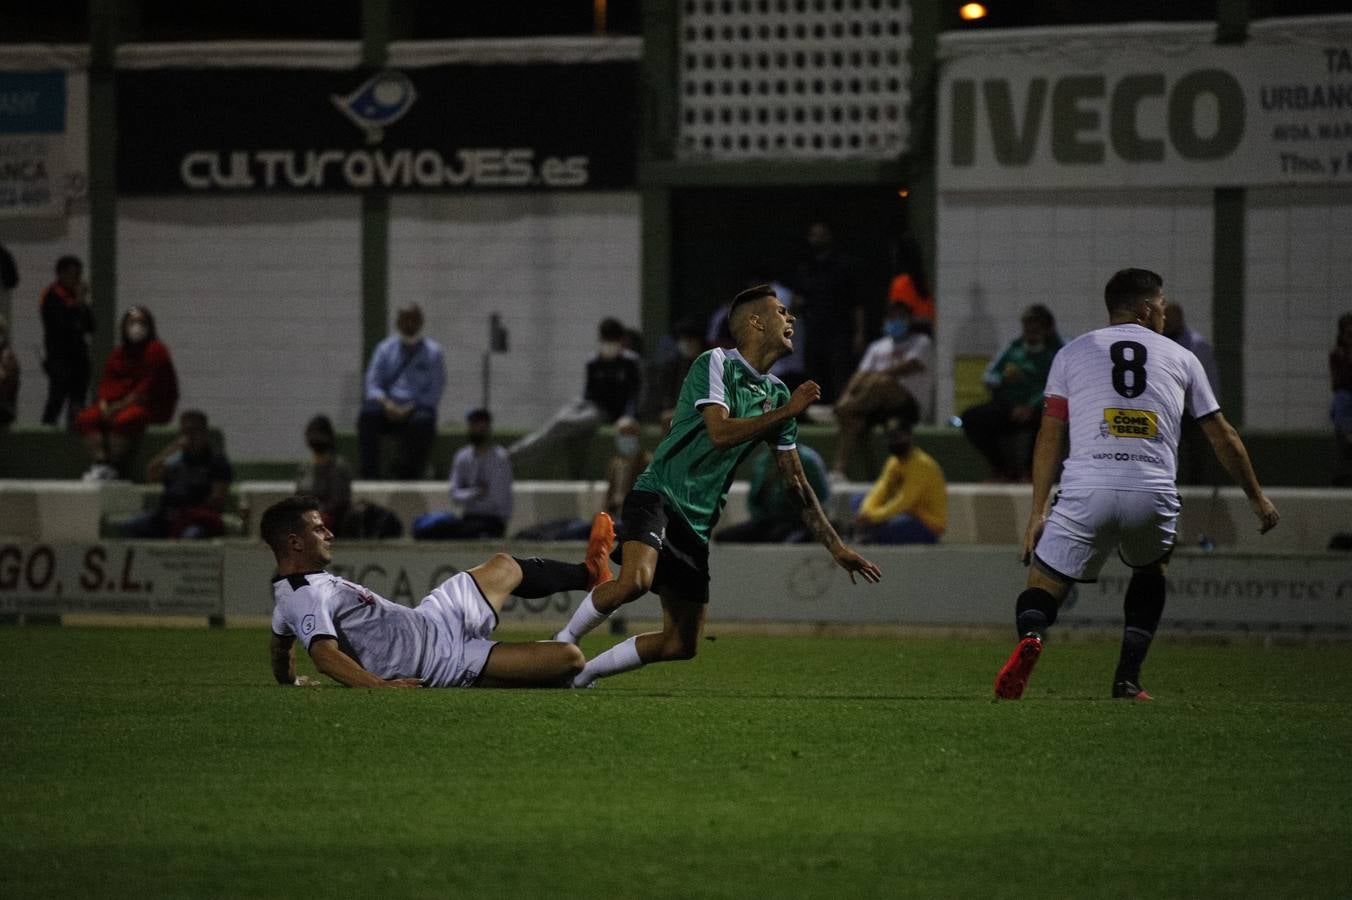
<point>33,137</point>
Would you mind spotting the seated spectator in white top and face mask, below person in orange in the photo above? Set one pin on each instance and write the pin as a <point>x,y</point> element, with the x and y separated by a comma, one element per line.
<point>894,379</point>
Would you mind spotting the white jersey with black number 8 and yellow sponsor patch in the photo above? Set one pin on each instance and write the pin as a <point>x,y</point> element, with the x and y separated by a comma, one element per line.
<point>1127,390</point>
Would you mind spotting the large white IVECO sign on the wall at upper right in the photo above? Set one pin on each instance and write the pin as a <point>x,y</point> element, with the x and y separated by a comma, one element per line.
<point>1147,106</point>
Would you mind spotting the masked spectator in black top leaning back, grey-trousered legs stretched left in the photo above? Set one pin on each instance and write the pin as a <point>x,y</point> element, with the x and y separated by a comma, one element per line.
<point>614,380</point>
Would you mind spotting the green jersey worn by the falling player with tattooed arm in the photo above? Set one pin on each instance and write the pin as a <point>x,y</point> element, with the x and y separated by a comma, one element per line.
<point>687,471</point>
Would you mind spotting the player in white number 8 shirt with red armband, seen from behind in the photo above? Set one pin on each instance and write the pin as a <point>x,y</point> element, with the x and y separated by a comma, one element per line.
<point>1120,393</point>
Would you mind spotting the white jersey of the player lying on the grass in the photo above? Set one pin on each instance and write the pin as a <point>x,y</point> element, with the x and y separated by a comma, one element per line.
<point>386,639</point>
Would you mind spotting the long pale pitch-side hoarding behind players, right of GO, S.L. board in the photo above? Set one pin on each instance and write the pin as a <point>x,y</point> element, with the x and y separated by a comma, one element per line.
<point>940,586</point>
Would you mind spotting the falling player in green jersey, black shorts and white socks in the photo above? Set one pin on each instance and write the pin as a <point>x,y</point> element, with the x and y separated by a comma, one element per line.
<point>728,403</point>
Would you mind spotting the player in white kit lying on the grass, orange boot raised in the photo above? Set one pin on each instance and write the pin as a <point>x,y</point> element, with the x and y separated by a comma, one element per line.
<point>363,641</point>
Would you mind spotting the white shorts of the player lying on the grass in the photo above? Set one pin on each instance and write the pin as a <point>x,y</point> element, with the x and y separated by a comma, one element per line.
<point>462,620</point>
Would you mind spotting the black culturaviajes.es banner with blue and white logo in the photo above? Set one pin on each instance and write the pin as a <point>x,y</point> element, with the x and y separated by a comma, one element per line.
<point>437,129</point>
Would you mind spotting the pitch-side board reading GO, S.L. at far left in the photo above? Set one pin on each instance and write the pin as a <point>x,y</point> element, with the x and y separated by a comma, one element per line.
<point>116,576</point>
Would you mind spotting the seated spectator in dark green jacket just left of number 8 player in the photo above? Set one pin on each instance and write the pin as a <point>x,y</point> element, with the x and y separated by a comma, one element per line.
<point>1004,429</point>
